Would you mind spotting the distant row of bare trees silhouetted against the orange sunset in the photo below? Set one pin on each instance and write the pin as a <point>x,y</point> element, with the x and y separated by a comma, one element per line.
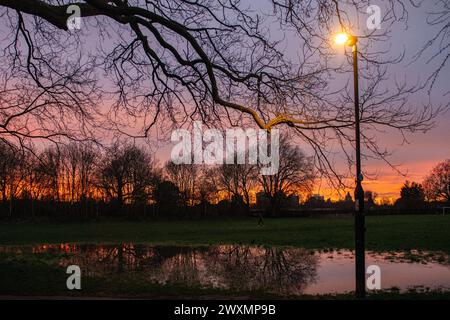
<point>83,180</point>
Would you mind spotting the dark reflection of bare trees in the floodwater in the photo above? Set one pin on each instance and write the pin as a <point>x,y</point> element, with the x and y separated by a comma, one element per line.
<point>235,267</point>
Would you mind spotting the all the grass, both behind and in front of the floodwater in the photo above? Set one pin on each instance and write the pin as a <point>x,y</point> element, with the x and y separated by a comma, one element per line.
<point>40,274</point>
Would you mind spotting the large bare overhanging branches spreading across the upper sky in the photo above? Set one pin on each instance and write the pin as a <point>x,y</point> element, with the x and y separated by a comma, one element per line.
<point>215,61</point>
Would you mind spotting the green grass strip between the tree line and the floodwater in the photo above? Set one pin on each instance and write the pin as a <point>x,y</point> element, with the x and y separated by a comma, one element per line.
<point>384,233</point>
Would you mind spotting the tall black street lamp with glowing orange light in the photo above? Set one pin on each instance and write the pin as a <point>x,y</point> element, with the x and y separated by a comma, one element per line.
<point>349,40</point>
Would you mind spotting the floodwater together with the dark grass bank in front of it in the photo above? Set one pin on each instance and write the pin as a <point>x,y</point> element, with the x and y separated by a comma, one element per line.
<point>259,272</point>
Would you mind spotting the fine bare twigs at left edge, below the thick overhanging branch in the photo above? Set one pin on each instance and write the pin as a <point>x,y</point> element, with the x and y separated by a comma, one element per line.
<point>47,92</point>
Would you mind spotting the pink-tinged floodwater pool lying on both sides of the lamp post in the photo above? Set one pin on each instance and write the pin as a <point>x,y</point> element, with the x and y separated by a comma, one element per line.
<point>286,271</point>
